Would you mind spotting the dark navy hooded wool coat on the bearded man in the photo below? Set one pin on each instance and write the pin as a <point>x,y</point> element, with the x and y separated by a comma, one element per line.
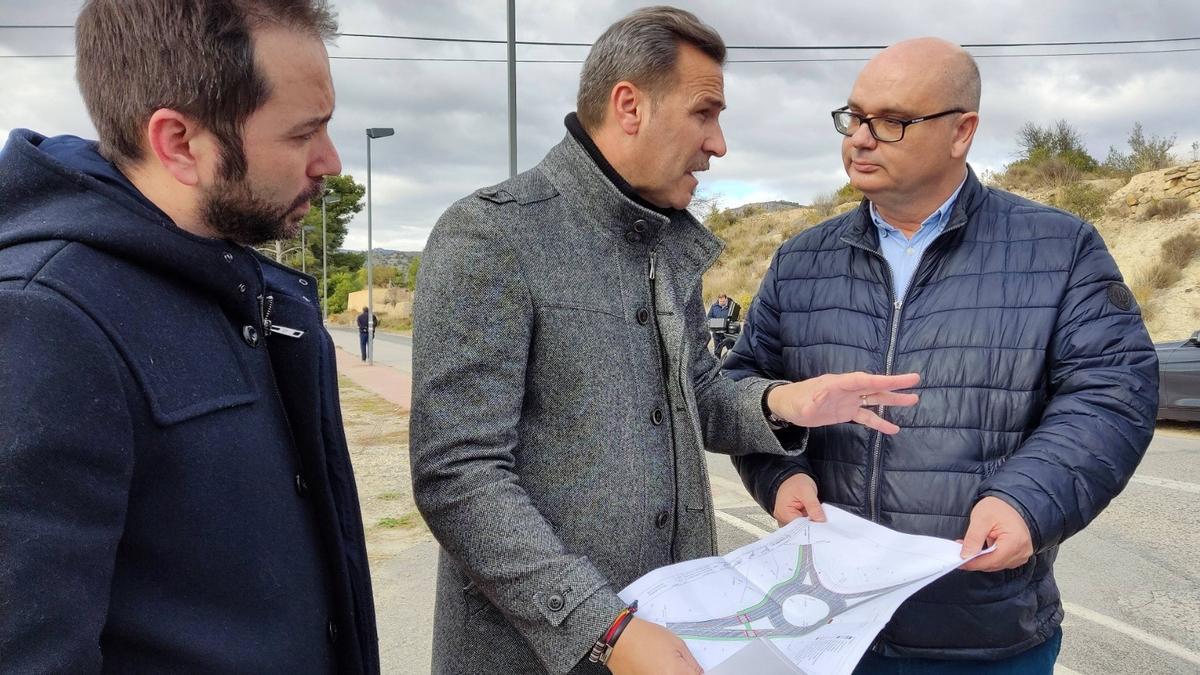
<point>176,489</point>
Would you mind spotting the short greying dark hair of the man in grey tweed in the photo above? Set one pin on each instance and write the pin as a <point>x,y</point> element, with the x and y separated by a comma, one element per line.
<point>641,49</point>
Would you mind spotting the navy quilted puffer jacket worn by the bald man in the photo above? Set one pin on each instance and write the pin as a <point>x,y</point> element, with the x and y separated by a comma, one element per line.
<point>1039,386</point>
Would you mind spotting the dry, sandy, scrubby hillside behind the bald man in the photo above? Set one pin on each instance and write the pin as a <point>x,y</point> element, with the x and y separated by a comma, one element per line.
<point>1136,222</point>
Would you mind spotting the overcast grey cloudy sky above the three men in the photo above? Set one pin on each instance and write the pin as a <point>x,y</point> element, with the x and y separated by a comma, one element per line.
<point>451,118</point>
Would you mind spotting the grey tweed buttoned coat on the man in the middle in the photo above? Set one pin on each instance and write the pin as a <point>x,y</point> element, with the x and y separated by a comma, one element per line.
<point>562,402</point>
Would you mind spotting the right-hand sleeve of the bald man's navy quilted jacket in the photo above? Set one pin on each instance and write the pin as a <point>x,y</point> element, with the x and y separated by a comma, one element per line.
<point>1100,419</point>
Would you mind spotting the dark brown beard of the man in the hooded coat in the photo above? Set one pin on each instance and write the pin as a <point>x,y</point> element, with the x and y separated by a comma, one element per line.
<point>235,212</point>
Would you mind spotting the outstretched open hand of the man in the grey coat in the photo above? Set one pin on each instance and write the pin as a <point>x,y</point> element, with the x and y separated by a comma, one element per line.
<point>832,399</point>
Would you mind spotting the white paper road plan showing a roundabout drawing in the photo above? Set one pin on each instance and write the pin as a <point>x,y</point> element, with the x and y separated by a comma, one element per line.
<point>809,598</point>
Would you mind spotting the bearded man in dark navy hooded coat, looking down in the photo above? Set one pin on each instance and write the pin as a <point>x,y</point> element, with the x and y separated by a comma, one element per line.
<point>176,488</point>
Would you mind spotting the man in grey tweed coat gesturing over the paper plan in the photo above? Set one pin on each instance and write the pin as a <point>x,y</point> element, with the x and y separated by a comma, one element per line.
<point>563,392</point>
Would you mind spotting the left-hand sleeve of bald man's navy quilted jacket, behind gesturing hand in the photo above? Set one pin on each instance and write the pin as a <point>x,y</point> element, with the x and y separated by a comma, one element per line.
<point>759,354</point>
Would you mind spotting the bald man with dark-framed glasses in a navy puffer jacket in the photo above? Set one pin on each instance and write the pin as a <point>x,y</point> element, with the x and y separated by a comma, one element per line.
<point>1039,380</point>
